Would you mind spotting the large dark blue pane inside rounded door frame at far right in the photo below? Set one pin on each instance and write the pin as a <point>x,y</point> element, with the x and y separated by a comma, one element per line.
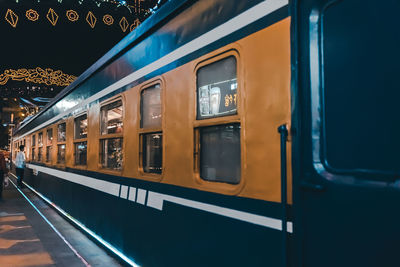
<point>360,88</point>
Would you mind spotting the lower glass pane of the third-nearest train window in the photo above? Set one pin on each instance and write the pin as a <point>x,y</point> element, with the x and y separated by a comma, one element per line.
<point>111,153</point>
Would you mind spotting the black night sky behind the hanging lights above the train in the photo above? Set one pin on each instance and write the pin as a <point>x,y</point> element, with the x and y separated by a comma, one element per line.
<point>69,46</point>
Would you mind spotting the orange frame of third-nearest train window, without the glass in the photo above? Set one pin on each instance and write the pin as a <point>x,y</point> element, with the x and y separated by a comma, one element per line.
<point>113,135</point>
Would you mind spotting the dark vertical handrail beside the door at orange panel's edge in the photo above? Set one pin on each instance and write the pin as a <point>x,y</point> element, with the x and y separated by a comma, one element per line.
<point>282,129</point>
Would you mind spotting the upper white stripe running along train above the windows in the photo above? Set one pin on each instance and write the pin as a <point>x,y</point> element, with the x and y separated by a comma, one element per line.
<point>253,14</point>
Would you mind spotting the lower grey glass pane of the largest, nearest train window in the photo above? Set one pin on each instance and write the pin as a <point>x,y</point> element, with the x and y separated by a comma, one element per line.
<point>220,153</point>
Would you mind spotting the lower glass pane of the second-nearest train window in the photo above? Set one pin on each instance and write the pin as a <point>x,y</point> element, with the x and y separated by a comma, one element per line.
<point>152,153</point>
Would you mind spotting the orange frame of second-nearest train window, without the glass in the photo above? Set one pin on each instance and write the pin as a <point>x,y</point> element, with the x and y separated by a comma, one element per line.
<point>151,130</point>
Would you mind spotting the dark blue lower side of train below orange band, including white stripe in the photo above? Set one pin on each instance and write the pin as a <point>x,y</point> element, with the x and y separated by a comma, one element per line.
<point>164,225</point>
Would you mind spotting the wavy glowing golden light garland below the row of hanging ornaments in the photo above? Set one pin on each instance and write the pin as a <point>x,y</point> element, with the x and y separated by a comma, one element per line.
<point>38,75</point>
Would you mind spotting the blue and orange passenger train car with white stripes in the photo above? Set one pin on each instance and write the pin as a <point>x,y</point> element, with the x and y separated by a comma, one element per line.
<point>233,133</point>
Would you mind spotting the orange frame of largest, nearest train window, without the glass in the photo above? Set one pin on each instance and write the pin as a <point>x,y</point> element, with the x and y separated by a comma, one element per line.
<point>217,186</point>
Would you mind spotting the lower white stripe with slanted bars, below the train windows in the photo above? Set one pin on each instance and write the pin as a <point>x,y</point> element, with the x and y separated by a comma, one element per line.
<point>156,200</point>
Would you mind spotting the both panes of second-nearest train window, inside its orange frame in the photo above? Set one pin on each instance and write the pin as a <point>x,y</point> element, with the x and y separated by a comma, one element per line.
<point>151,130</point>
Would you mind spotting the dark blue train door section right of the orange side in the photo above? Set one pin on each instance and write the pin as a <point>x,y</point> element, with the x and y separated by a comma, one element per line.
<point>347,144</point>
